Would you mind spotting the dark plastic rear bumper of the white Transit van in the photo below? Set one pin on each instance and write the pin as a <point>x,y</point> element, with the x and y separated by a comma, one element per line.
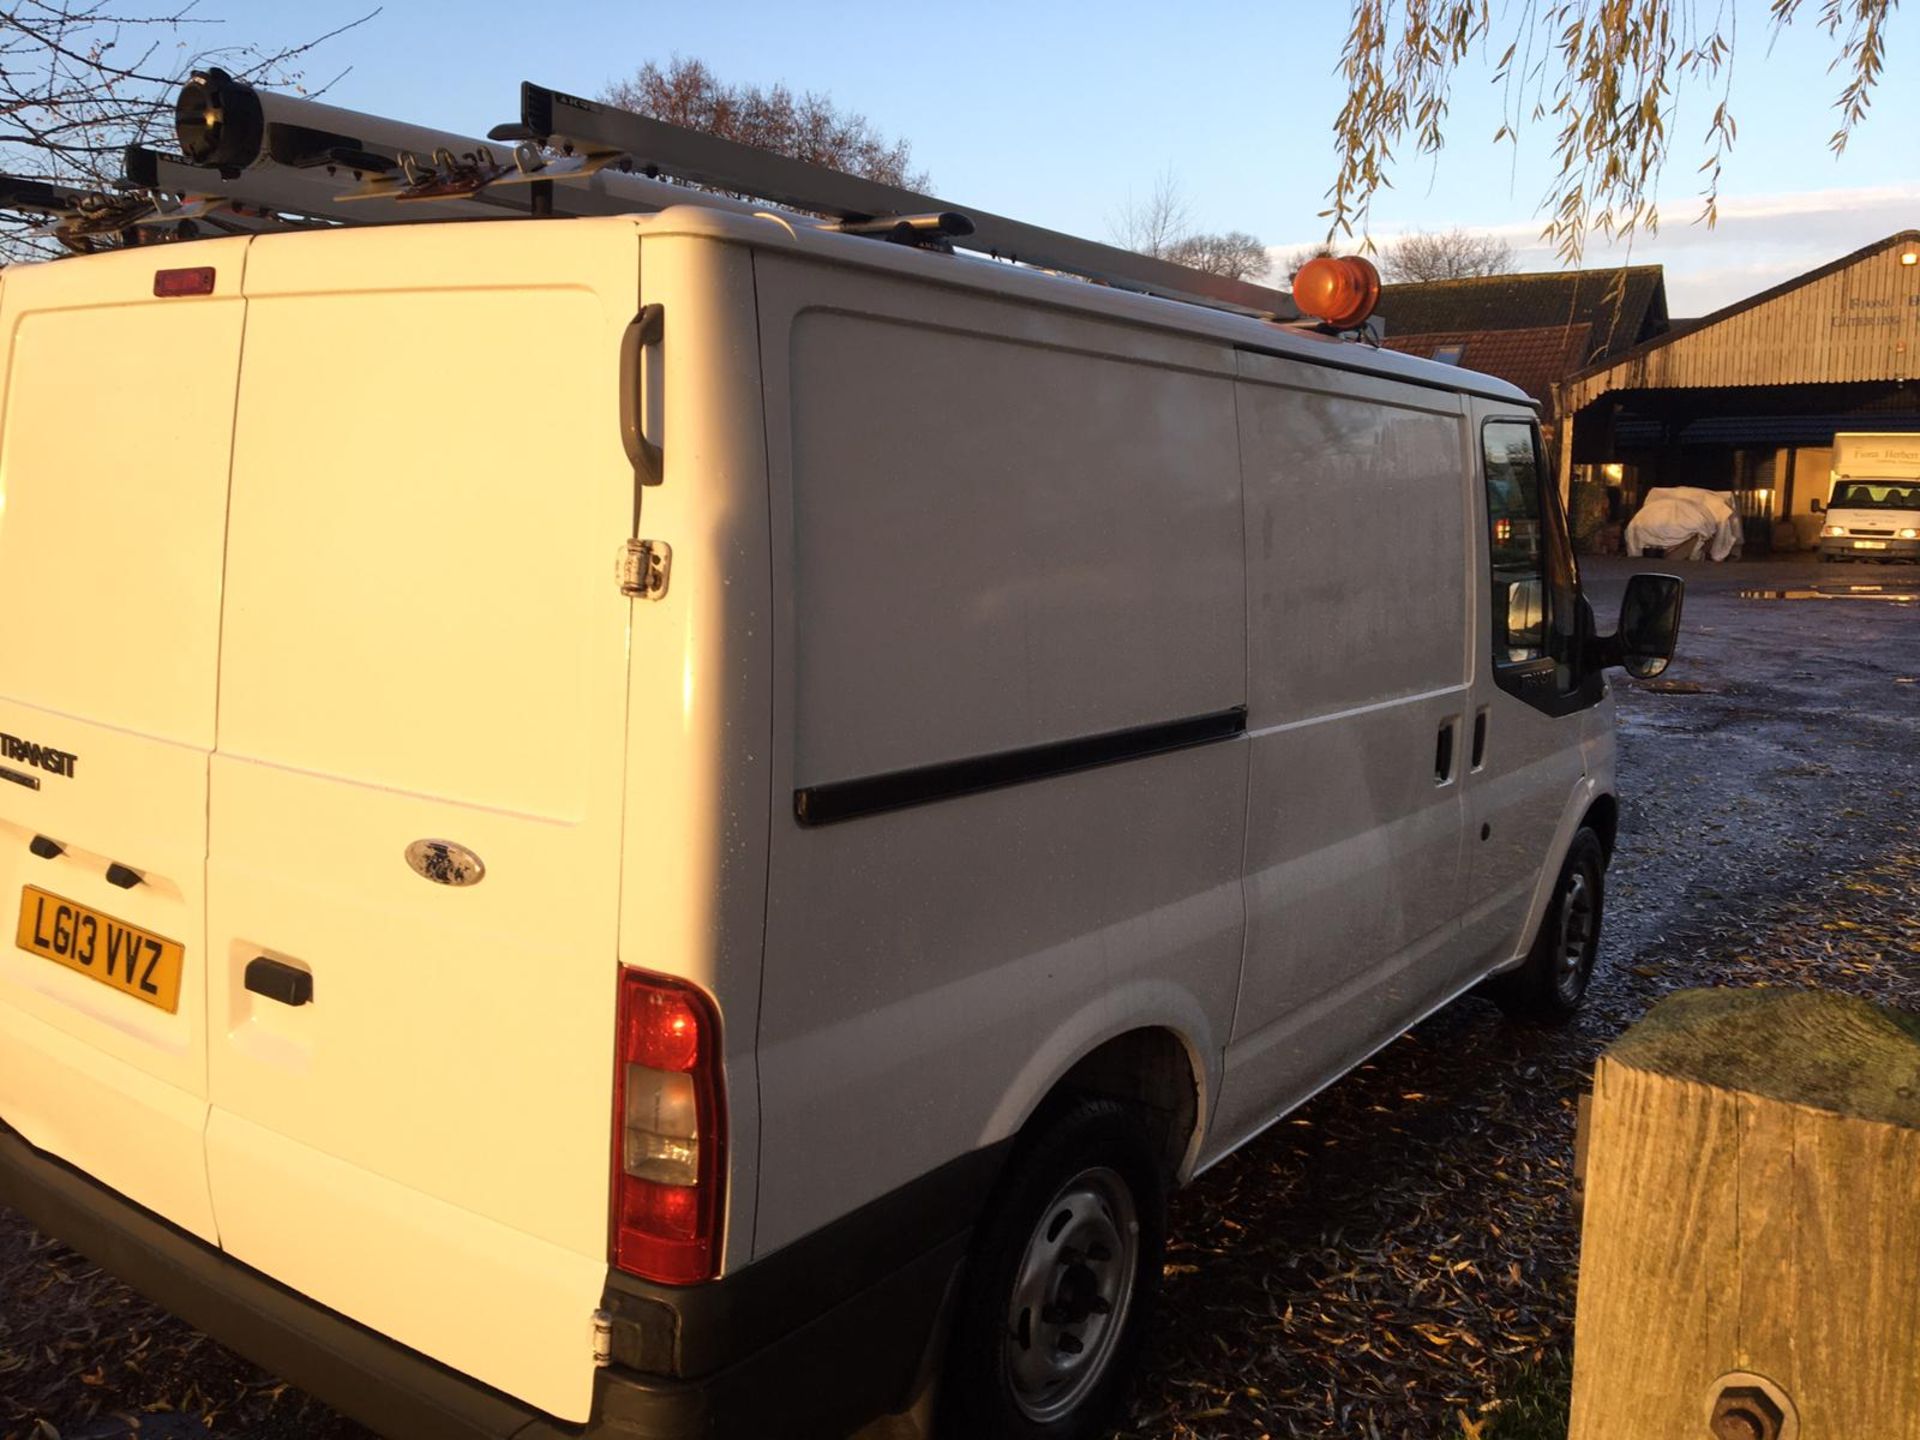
<point>825,1368</point>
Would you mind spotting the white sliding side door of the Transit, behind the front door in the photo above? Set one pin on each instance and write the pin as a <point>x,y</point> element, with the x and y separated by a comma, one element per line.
<point>1358,652</point>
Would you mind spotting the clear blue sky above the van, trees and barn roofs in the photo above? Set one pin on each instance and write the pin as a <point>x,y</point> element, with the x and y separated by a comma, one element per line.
<point>1059,114</point>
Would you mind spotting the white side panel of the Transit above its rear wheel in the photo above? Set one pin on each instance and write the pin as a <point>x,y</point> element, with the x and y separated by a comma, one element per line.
<point>1009,527</point>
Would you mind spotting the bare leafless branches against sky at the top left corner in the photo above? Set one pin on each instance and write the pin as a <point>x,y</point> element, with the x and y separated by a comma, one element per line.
<point>84,80</point>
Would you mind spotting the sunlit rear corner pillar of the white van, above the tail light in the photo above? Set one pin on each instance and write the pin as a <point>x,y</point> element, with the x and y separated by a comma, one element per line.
<point>700,773</point>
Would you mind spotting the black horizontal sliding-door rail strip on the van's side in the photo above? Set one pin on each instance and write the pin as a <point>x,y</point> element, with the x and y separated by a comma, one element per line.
<point>852,800</point>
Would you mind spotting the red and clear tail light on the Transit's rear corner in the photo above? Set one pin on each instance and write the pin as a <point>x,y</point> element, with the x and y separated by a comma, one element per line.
<point>669,1132</point>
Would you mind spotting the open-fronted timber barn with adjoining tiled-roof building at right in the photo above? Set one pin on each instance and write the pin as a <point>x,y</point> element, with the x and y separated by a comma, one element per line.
<point>1746,400</point>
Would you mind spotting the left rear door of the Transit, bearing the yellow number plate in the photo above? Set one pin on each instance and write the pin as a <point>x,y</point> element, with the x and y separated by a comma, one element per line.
<point>114,462</point>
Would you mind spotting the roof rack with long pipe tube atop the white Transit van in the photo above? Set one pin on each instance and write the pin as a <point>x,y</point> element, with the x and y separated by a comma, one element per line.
<point>266,160</point>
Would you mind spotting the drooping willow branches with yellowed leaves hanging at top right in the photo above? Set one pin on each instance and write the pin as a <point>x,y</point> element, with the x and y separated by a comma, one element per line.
<point>1602,74</point>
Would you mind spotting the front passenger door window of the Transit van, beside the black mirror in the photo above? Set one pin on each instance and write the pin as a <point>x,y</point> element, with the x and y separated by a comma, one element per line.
<point>1537,590</point>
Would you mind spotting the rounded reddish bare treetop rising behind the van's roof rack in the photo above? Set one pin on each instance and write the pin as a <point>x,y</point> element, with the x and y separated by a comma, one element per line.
<point>805,128</point>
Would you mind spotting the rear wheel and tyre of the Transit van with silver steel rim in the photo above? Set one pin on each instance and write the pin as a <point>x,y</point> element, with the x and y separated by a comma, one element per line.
<point>1061,1282</point>
